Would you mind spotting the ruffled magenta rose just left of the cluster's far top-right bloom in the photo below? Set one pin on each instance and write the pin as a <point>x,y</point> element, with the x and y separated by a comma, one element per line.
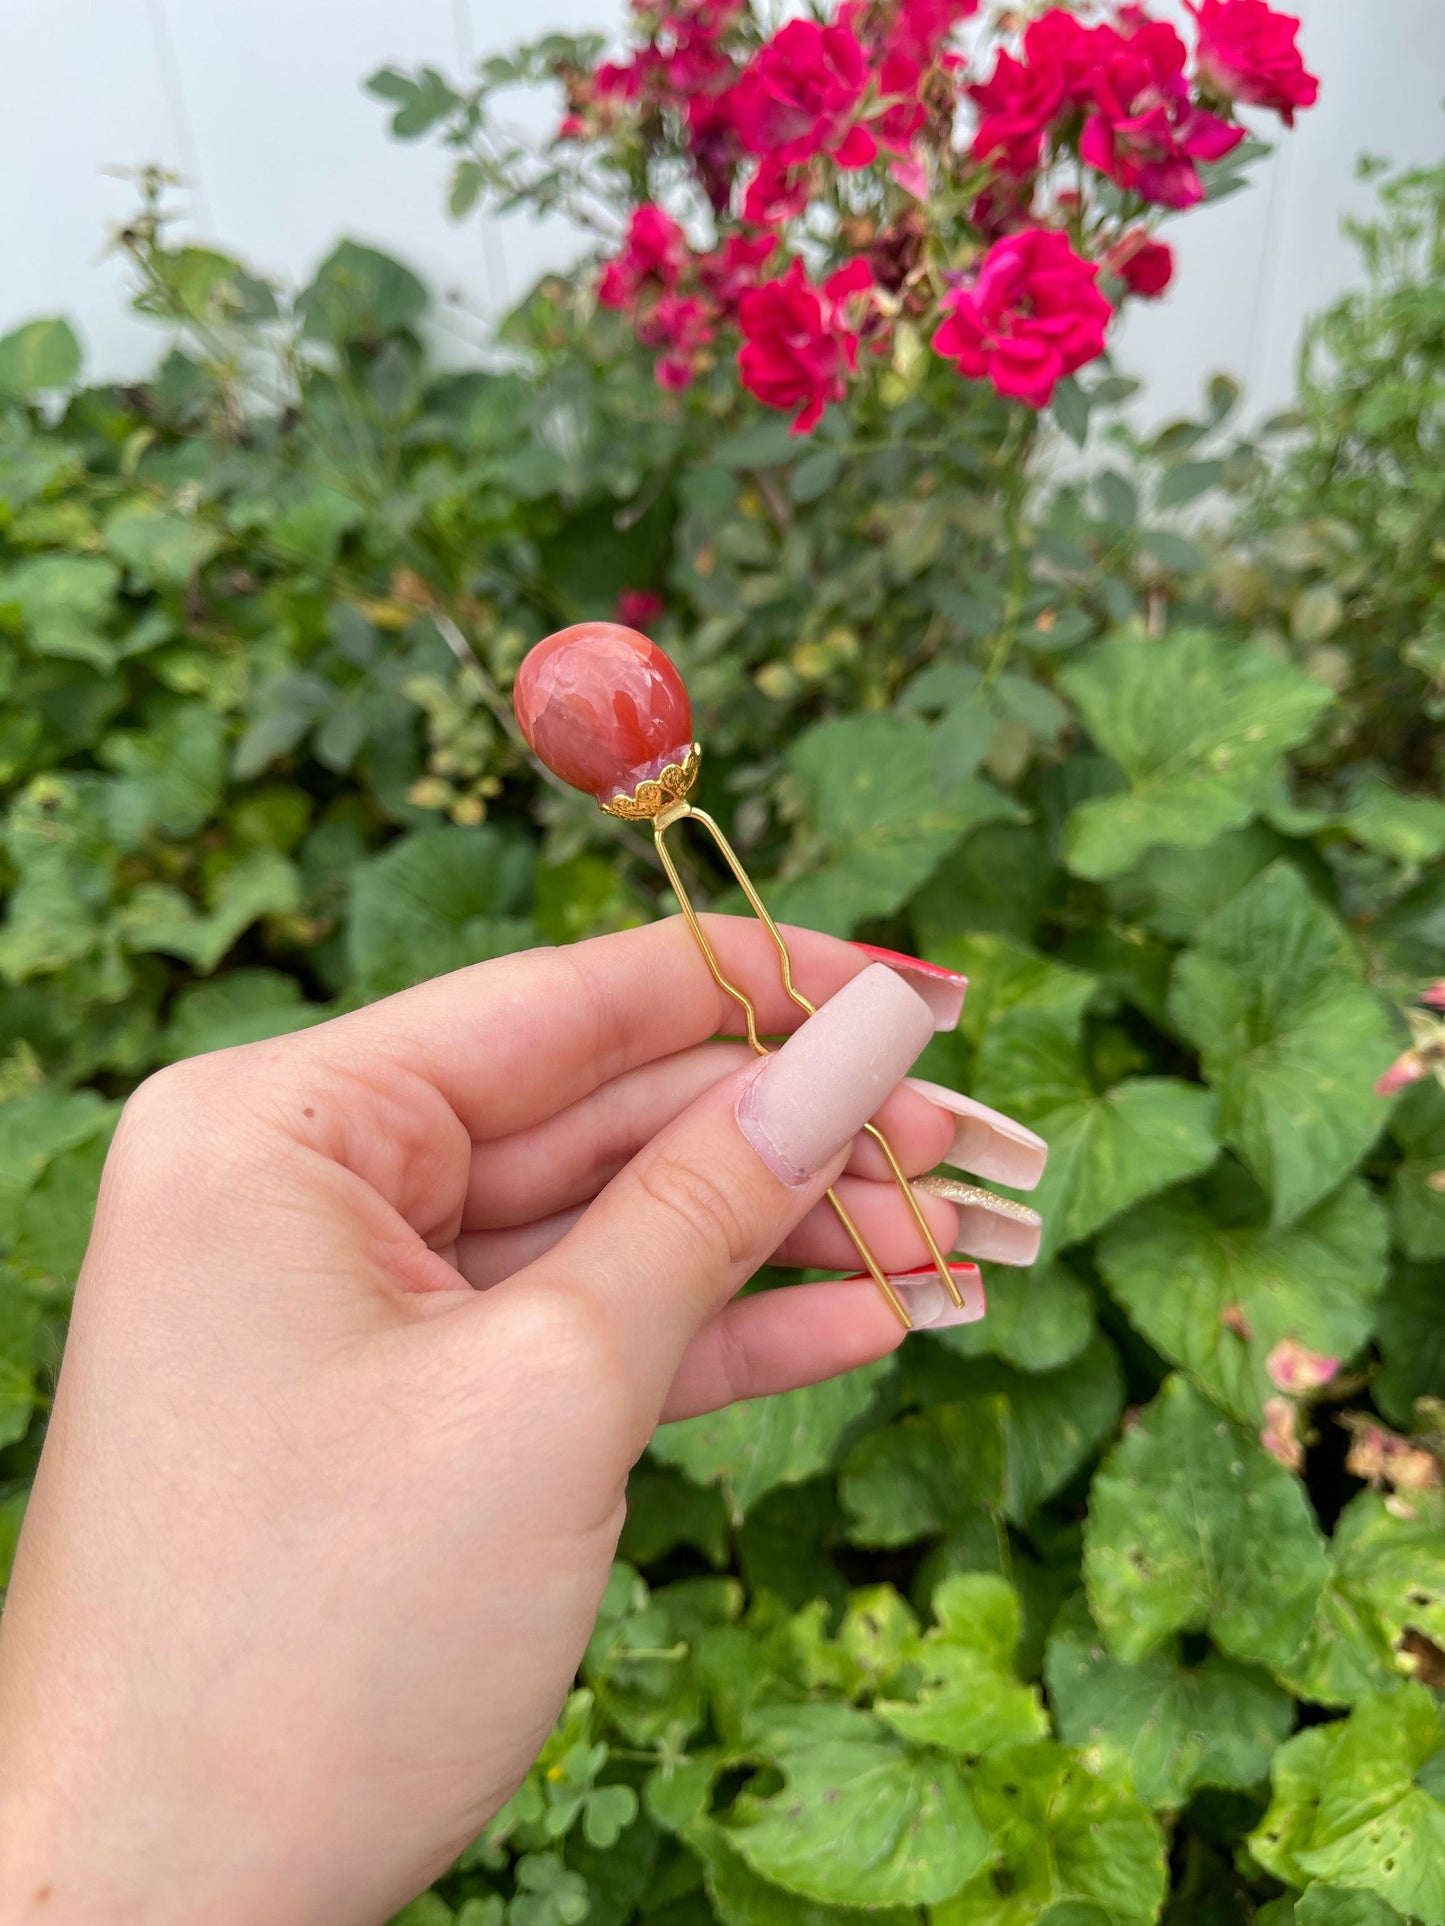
<point>1143,132</point>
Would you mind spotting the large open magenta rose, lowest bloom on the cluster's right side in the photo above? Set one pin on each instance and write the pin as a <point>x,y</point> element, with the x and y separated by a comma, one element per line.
<point>1032,317</point>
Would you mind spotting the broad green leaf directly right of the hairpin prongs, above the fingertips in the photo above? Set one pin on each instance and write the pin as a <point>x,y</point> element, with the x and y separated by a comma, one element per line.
<point>883,823</point>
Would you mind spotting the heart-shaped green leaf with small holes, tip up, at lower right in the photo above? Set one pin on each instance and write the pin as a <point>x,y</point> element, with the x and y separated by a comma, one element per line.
<point>1195,1528</point>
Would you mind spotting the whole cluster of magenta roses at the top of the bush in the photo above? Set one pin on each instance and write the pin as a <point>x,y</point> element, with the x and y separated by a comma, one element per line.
<point>999,205</point>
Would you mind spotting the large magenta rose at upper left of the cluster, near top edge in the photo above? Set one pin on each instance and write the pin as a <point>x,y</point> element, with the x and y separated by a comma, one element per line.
<point>799,97</point>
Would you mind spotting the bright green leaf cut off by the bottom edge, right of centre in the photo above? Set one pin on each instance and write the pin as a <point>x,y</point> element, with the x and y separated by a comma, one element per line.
<point>1064,1827</point>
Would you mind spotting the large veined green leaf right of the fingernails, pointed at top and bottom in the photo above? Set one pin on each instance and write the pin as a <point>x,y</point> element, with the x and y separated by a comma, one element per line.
<point>1290,1039</point>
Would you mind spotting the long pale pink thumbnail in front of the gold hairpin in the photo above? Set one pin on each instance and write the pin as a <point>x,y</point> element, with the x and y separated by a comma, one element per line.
<point>812,1099</point>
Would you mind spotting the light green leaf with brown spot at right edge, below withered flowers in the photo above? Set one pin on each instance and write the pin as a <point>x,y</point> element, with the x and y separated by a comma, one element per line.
<point>1384,1601</point>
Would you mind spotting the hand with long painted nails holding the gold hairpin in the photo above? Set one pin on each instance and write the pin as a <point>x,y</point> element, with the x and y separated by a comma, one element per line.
<point>373,1326</point>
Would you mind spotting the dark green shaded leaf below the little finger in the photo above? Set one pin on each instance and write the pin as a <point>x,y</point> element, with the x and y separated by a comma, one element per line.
<point>926,1474</point>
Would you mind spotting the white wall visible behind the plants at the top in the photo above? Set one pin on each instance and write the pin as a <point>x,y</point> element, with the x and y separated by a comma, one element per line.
<point>259,105</point>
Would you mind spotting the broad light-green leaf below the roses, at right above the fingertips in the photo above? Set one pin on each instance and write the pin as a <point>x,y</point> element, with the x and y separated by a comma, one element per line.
<point>1197,725</point>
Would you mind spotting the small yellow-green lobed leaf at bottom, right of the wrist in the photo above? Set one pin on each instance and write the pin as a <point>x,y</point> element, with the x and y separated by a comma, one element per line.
<point>974,1700</point>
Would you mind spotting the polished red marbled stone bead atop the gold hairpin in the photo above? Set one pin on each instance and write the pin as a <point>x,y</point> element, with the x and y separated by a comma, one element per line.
<point>602,708</point>
